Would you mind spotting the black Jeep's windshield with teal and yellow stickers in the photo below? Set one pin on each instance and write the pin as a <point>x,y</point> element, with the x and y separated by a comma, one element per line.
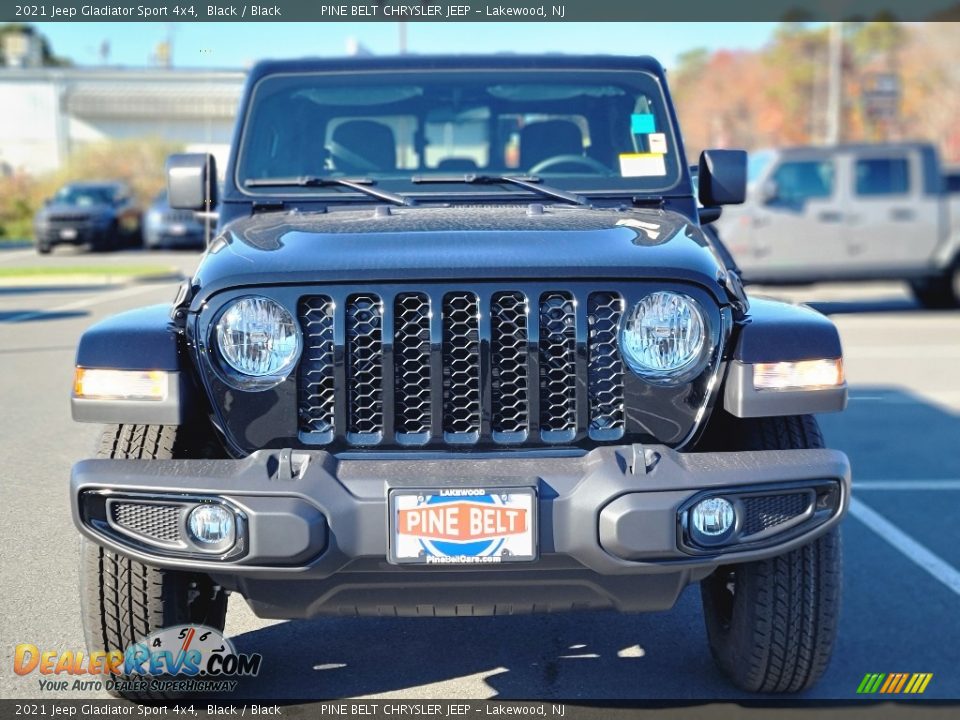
<point>577,130</point>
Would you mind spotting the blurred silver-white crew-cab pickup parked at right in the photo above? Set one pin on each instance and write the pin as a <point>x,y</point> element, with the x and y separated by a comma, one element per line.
<point>849,213</point>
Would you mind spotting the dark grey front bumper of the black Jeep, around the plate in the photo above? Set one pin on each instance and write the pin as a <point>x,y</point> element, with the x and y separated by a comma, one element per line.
<point>319,524</point>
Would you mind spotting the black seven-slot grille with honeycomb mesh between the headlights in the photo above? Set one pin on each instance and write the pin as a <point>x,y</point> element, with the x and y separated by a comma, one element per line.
<point>460,368</point>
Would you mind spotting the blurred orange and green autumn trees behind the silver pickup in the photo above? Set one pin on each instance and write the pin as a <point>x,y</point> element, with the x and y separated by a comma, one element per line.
<point>778,95</point>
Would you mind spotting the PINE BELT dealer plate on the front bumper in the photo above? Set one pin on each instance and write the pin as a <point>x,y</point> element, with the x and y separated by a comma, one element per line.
<point>463,526</point>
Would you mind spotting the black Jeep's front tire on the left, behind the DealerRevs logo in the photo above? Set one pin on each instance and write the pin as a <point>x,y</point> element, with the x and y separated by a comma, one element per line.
<point>123,601</point>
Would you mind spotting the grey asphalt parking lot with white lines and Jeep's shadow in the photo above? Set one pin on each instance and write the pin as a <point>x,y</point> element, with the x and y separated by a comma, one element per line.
<point>901,551</point>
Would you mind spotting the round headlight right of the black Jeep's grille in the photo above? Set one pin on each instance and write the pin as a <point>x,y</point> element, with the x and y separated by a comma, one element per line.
<point>663,337</point>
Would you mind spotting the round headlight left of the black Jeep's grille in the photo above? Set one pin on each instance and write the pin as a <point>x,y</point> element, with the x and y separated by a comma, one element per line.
<point>259,339</point>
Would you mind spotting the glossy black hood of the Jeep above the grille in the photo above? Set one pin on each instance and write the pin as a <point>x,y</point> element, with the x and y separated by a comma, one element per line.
<point>450,243</point>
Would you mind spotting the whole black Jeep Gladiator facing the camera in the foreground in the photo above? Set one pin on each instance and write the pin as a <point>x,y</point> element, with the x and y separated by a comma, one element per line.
<point>461,347</point>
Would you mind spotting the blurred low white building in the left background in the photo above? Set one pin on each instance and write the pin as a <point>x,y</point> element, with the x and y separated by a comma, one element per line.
<point>45,113</point>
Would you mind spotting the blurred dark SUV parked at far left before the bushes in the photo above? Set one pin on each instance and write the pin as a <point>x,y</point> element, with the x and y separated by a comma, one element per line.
<point>103,215</point>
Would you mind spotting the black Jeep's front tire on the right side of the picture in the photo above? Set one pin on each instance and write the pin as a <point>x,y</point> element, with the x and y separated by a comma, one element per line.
<point>772,624</point>
